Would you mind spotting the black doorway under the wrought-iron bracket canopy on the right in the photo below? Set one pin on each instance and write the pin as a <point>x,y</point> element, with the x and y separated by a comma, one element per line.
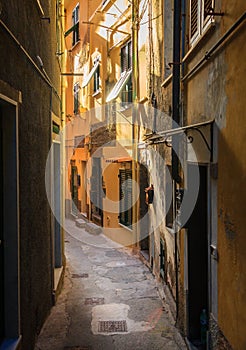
<point>197,258</point>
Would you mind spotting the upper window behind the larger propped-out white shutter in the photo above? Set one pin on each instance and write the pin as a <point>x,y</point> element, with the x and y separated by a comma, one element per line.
<point>126,65</point>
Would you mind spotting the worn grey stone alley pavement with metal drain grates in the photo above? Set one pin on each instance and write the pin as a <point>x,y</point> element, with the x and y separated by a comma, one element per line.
<point>110,300</point>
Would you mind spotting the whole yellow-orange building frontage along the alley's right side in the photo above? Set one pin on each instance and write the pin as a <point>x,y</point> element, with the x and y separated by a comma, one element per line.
<point>191,235</point>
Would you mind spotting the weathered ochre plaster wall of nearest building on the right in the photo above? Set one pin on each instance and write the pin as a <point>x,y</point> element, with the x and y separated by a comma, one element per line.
<point>217,91</point>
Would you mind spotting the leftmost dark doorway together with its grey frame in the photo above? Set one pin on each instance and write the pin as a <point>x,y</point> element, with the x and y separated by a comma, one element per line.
<point>11,234</point>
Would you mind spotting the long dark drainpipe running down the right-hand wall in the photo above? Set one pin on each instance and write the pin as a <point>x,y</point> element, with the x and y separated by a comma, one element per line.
<point>176,120</point>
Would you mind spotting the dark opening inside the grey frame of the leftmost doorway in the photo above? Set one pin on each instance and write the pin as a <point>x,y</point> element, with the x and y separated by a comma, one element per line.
<point>9,224</point>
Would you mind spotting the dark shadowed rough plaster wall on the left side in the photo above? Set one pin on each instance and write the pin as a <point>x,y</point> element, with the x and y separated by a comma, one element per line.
<point>38,37</point>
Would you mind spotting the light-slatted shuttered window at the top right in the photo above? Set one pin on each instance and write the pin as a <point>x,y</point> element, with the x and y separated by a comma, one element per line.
<point>199,18</point>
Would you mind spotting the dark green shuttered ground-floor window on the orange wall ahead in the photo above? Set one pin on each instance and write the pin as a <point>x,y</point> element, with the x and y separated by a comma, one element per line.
<point>125,215</point>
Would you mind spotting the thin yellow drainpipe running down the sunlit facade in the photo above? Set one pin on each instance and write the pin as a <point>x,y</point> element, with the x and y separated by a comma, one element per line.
<point>135,99</point>
